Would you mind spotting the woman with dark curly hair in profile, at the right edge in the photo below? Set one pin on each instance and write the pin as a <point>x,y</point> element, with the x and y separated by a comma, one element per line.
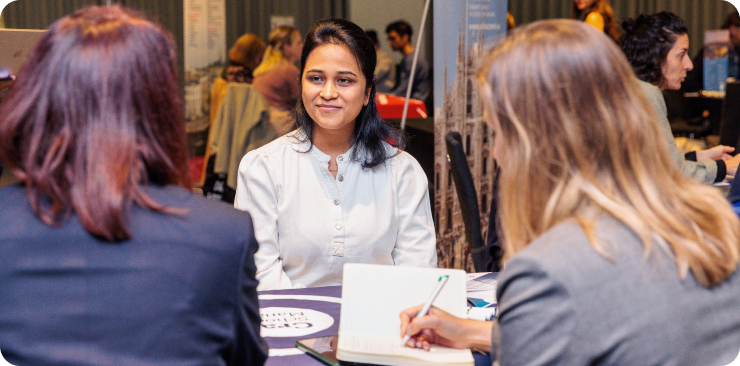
<point>657,47</point>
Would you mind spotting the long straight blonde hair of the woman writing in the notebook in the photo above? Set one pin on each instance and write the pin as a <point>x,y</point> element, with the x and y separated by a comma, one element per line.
<point>579,140</point>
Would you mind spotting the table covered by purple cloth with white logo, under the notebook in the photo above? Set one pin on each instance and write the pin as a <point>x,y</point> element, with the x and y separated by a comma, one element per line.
<point>309,316</point>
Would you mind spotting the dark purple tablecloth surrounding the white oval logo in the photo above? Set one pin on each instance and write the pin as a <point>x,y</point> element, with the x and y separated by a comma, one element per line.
<point>281,348</point>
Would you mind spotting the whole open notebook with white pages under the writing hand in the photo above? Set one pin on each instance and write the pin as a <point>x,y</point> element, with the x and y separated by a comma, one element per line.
<point>373,296</point>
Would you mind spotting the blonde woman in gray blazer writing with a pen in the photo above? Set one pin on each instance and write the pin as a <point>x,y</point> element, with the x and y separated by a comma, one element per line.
<point>613,256</point>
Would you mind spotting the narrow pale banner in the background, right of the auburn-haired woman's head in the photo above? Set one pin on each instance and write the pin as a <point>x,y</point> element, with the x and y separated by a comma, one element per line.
<point>205,57</point>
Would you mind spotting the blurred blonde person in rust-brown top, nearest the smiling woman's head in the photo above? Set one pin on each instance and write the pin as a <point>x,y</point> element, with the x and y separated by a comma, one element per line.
<point>276,78</point>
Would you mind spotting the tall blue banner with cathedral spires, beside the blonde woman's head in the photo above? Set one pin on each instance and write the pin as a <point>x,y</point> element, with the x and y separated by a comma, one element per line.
<point>463,31</point>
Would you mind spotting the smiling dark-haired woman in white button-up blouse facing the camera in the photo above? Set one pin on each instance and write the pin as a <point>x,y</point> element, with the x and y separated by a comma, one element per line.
<point>334,191</point>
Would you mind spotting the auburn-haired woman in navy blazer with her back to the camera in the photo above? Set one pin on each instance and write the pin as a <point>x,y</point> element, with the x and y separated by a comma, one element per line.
<point>106,257</point>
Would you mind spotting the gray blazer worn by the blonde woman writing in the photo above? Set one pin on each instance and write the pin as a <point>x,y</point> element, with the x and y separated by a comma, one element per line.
<point>561,303</point>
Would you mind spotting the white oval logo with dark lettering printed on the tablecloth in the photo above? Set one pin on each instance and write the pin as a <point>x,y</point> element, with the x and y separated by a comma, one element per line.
<point>293,322</point>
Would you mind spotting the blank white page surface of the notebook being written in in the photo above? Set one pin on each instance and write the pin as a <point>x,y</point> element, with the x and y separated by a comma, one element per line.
<point>373,296</point>
